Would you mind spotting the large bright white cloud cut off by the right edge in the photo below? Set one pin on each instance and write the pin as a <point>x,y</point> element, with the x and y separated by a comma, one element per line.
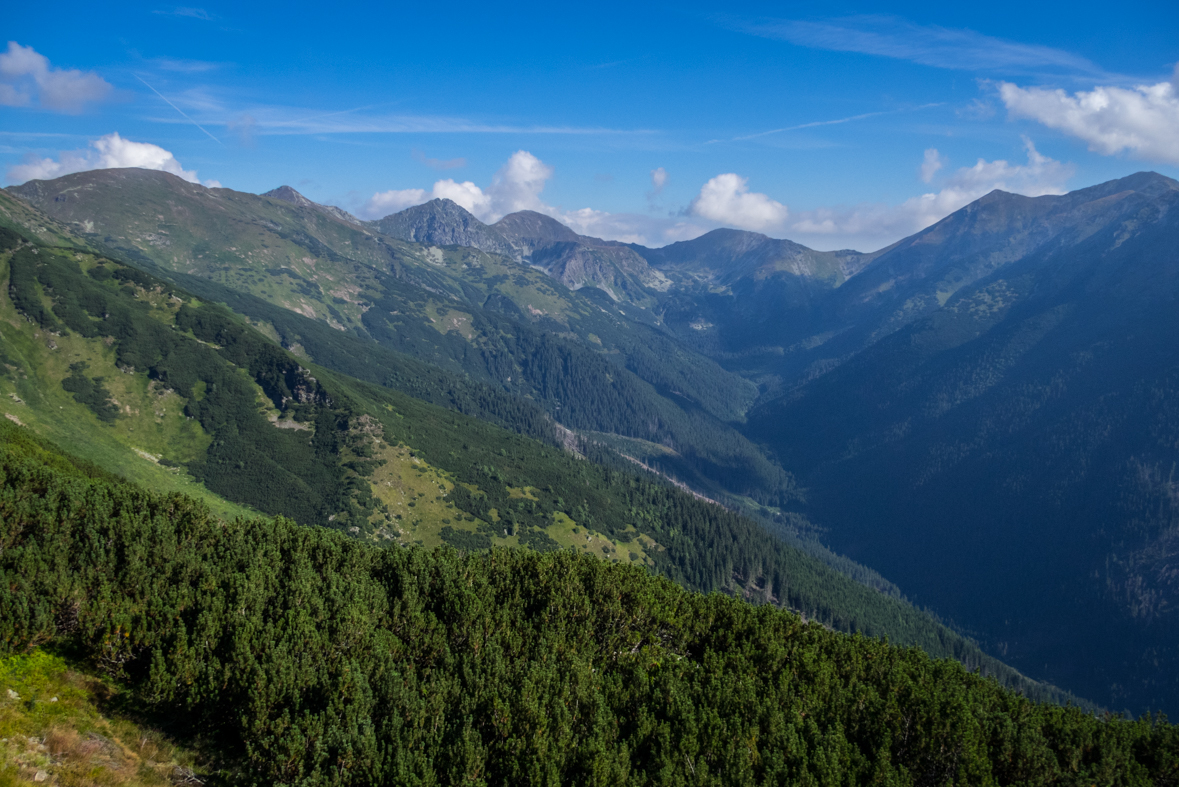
<point>1143,121</point>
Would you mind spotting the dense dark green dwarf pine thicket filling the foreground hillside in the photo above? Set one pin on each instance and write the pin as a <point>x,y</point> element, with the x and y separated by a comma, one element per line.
<point>311,659</point>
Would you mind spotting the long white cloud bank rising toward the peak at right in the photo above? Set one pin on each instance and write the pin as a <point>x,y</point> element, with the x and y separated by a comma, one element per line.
<point>885,224</point>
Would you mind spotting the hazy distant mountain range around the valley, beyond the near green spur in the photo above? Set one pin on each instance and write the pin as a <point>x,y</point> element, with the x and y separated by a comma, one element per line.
<point>983,412</point>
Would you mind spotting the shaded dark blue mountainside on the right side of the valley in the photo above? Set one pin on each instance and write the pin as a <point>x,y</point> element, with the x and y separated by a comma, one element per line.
<point>1009,460</point>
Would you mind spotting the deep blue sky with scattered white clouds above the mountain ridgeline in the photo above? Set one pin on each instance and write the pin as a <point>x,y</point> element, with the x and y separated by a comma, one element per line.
<point>848,125</point>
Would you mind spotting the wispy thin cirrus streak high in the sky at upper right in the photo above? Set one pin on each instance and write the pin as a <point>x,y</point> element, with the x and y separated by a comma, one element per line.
<point>930,45</point>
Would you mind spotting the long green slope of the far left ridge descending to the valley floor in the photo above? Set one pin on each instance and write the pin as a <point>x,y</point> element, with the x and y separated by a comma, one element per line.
<point>502,323</point>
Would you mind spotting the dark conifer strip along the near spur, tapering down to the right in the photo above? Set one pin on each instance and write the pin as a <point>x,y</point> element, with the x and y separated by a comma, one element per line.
<point>703,546</point>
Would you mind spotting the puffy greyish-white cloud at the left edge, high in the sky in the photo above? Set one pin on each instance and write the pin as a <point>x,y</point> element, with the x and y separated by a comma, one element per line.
<point>27,74</point>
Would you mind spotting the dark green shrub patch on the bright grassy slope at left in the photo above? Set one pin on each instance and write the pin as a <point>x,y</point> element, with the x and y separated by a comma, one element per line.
<point>252,462</point>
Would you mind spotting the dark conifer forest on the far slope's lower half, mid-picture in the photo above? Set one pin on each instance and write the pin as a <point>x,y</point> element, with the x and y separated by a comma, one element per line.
<point>583,389</point>
